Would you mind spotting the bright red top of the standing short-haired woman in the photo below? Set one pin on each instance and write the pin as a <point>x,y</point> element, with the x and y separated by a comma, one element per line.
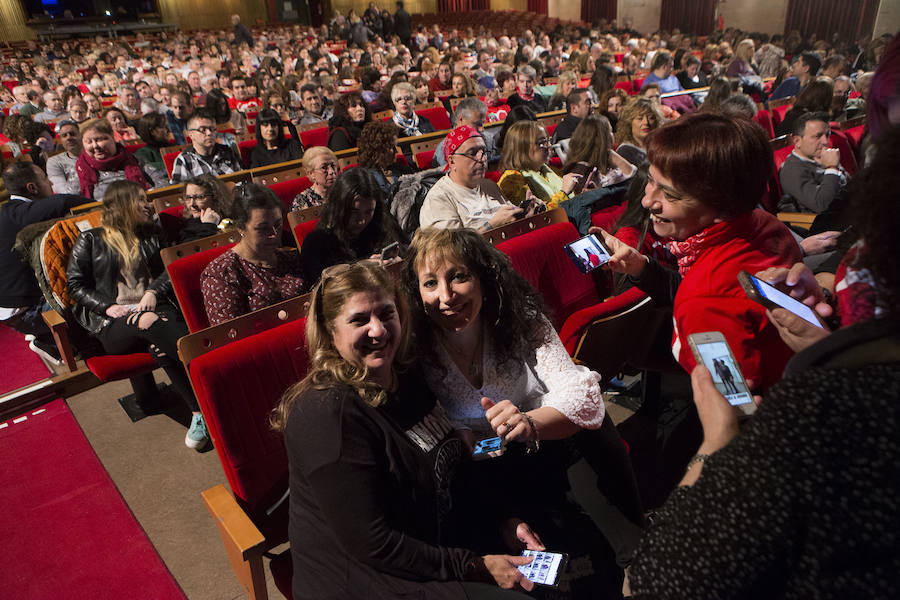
<point>710,298</point>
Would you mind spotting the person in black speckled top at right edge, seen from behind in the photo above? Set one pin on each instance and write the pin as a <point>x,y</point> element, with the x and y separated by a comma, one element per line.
<point>793,467</point>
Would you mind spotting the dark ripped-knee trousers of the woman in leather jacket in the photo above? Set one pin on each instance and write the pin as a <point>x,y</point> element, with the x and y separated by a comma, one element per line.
<point>124,336</point>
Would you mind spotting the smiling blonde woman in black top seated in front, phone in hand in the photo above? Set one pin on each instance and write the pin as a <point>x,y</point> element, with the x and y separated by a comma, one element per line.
<point>371,457</point>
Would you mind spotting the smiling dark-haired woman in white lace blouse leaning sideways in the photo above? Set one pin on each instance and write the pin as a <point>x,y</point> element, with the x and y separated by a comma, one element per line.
<point>499,369</point>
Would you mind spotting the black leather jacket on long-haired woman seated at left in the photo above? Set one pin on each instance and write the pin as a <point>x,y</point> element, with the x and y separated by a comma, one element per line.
<point>93,273</point>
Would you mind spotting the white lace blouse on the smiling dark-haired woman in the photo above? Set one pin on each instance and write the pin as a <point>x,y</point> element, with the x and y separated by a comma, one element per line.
<point>554,380</point>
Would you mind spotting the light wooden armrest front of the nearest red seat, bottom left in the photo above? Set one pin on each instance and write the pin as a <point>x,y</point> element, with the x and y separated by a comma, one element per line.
<point>243,541</point>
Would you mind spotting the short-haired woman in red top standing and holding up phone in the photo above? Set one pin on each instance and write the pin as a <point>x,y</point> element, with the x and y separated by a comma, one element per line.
<point>707,174</point>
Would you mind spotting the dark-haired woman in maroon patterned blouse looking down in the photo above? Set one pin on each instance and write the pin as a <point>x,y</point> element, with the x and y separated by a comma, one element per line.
<point>256,272</point>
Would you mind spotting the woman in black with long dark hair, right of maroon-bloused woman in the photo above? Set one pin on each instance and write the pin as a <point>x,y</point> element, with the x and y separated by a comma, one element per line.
<point>354,224</point>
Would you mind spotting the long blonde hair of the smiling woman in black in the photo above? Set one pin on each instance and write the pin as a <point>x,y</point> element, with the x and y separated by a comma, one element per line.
<point>327,369</point>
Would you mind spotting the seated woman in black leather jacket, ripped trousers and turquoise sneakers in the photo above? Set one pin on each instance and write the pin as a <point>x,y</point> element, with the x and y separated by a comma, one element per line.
<point>121,290</point>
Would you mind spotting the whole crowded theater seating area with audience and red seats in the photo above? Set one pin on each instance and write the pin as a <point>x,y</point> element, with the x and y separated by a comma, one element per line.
<point>481,304</point>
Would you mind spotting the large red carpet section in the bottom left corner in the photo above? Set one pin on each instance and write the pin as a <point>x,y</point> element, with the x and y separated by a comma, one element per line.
<point>65,531</point>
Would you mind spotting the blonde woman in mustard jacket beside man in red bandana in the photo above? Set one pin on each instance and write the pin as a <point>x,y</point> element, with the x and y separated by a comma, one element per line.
<point>526,152</point>
